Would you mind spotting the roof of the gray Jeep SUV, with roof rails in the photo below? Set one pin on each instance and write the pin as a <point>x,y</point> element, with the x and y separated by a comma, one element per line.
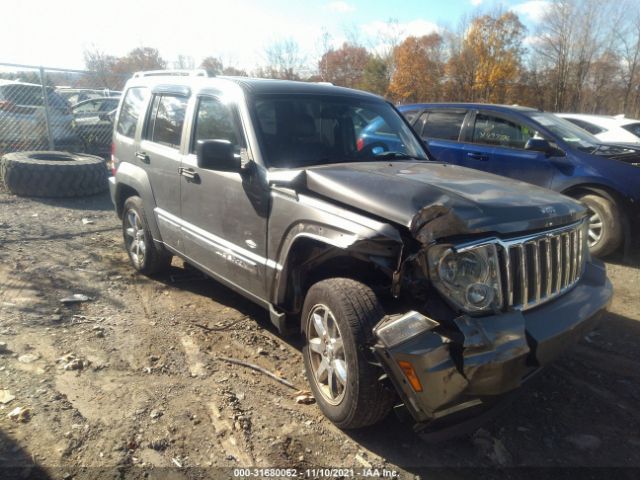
<point>252,86</point>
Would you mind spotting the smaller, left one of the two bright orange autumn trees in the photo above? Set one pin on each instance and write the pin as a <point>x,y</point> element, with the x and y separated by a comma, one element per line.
<point>418,70</point>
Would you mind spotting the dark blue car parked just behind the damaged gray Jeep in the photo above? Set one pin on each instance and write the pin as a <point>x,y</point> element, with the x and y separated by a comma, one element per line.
<point>543,149</point>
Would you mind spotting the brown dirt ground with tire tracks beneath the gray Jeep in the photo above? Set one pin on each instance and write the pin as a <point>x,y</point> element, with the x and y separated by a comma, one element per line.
<point>130,384</point>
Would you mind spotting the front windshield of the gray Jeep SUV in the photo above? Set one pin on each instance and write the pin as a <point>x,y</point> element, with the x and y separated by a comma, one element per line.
<point>303,130</point>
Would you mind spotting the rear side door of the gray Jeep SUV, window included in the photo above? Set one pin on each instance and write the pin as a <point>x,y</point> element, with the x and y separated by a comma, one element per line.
<point>159,154</point>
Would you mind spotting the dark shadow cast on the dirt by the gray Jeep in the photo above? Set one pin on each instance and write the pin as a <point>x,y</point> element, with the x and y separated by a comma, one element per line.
<point>589,393</point>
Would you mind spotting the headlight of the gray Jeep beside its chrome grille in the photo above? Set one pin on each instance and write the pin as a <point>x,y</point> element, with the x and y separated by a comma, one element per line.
<point>470,279</point>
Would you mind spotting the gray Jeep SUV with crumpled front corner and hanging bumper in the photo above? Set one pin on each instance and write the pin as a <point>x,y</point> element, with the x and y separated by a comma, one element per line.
<point>413,282</point>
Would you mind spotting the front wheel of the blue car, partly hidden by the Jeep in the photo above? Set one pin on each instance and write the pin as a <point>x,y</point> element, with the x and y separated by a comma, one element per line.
<point>610,235</point>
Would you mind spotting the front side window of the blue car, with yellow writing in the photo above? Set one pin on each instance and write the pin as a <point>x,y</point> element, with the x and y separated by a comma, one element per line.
<point>490,130</point>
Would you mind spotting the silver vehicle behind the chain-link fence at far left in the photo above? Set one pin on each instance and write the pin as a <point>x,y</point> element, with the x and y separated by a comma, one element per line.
<point>23,124</point>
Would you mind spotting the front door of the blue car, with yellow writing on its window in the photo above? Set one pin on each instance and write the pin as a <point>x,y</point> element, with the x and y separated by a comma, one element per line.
<point>503,138</point>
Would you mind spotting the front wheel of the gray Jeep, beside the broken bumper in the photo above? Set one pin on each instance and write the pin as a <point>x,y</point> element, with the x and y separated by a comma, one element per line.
<point>338,316</point>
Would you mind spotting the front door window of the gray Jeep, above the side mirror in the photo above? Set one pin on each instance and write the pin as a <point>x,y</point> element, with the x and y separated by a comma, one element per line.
<point>215,121</point>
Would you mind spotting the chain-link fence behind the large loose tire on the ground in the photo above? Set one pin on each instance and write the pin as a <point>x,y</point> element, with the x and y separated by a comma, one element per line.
<point>57,109</point>
